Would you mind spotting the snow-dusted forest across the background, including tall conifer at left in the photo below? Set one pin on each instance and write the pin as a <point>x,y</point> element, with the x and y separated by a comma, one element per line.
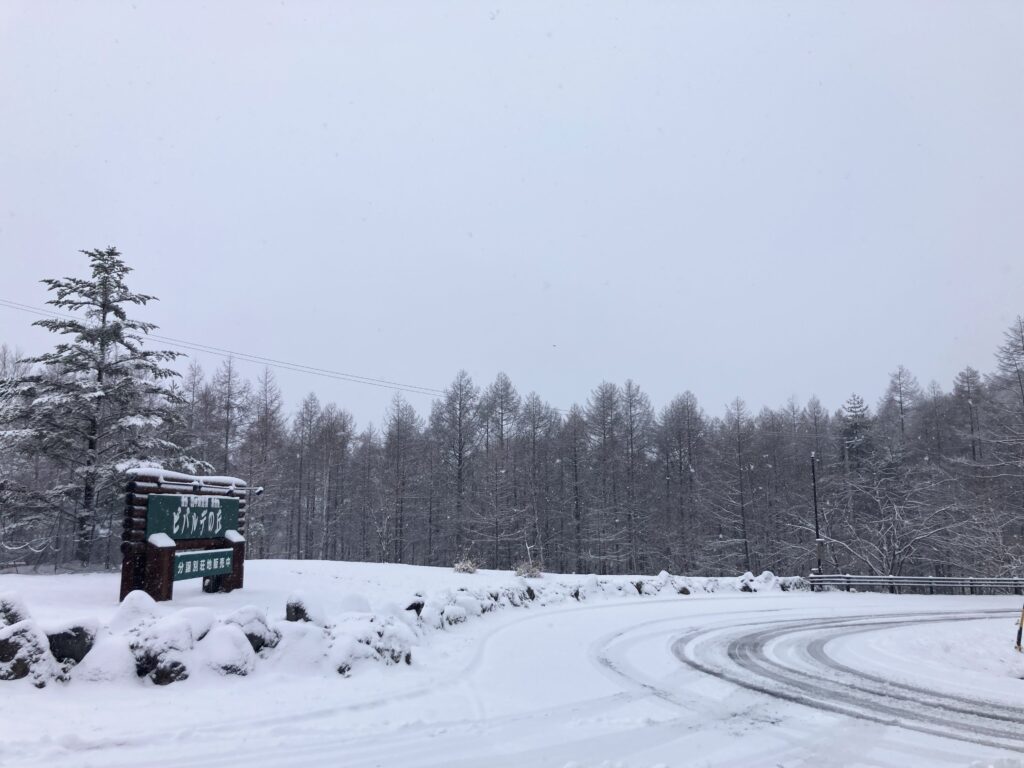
<point>926,482</point>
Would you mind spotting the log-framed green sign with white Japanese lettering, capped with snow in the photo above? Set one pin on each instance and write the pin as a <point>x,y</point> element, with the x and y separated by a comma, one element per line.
<point>183,527</point>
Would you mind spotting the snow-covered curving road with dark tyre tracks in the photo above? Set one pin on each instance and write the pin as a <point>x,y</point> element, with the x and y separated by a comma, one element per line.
<point>752,680</point>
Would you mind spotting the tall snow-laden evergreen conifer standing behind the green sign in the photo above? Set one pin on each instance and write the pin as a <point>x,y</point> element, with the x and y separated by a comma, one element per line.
<point>99,401</point>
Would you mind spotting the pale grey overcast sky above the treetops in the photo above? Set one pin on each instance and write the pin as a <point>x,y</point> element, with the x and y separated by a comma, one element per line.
<point>753,199</point>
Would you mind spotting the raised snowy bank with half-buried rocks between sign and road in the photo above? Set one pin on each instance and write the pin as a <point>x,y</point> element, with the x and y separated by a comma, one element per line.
<point>324,628</point>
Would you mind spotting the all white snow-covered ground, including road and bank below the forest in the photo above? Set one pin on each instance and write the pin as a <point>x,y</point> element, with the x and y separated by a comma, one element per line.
<point>617,678</point>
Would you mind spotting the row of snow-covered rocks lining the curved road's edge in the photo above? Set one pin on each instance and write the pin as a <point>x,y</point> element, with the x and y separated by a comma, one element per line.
<point>144,641</point>
